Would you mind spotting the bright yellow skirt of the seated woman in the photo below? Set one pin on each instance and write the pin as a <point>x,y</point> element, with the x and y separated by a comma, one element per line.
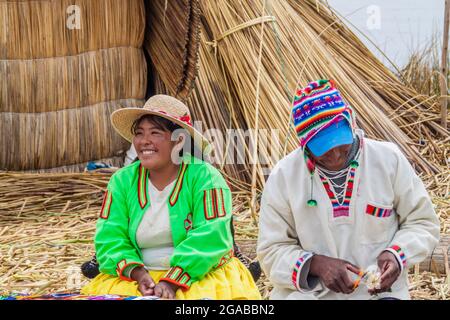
<point>232,281</point>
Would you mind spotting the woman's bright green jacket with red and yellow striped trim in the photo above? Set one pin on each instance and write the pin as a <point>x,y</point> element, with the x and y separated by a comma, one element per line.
<point>200,210</point>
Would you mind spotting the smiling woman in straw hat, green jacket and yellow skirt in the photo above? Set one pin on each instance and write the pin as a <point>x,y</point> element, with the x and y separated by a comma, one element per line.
<point>162,208</point>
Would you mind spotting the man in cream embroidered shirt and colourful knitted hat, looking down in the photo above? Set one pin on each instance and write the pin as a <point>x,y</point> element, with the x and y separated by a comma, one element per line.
<point>343,216</point>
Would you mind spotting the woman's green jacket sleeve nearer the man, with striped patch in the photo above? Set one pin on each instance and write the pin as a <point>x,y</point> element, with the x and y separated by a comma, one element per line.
<point>209,243</point>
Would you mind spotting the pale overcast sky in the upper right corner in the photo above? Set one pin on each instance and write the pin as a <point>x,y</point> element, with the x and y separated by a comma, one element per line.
<point>397,27</point>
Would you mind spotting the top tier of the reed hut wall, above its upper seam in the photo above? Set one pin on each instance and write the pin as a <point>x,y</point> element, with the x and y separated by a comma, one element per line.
<point>38,29</point>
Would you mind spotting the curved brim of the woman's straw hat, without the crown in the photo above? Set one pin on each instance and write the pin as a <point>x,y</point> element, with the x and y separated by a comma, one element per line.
<point>123,119</point>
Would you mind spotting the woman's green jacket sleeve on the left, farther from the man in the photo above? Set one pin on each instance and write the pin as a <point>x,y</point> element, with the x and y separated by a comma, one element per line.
<point>113,246</point>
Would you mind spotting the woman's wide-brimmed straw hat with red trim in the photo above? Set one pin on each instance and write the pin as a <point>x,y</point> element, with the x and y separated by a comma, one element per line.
<point>164,106</point>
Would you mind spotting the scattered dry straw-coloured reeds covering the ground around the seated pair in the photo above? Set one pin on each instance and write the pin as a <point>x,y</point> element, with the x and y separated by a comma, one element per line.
<point>47,223</point>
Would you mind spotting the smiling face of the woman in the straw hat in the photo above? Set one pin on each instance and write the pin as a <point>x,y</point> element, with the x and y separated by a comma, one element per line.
<point>153,145</point>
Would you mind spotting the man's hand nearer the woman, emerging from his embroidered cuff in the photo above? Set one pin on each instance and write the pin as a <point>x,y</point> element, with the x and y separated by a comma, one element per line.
<point>333,273</point>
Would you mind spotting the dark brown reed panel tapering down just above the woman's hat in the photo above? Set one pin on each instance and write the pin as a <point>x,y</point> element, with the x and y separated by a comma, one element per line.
<point>172,40</point>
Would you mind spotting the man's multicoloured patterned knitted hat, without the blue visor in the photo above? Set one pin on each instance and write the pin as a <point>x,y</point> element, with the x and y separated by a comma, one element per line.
<point>316,107</point>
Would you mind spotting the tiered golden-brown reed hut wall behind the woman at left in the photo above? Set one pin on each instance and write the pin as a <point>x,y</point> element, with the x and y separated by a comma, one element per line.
<point>60,83</point>
